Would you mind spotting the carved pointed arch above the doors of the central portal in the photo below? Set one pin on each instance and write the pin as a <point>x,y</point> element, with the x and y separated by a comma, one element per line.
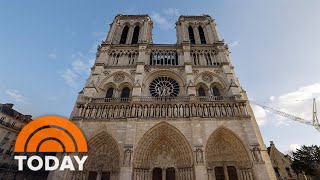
<point>161,139</point>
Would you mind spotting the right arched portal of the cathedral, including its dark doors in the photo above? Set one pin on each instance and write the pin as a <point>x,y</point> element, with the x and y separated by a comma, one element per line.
<point>226,156</point>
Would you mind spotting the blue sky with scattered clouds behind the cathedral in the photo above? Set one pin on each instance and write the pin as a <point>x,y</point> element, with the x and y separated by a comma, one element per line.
<point>48,47</point>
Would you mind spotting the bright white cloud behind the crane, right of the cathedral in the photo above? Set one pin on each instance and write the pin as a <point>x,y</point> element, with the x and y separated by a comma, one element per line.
<point>297,103</point>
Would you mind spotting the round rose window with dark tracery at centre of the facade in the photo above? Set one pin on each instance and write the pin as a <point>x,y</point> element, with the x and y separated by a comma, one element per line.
<point>164,87</point>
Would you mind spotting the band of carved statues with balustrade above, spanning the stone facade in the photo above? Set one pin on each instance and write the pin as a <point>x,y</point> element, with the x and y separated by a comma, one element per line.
<point>151,107</point>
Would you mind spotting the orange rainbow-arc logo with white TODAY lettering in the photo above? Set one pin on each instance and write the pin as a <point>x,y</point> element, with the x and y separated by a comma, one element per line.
<point>51,134</point>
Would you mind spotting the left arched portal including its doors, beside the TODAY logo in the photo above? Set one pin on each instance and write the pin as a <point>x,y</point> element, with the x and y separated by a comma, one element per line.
<point>104,157</point>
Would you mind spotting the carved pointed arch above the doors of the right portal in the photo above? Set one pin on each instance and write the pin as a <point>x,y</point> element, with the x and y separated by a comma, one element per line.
<point>222,146</point>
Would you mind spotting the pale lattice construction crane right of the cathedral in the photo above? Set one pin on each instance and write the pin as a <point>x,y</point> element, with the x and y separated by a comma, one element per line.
<point>314,122</point>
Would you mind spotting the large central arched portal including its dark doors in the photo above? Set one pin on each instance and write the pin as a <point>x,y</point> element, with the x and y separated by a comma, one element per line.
<point>164,151</point>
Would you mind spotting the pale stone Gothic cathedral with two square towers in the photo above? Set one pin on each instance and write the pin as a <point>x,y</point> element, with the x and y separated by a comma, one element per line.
<point>167,111</point>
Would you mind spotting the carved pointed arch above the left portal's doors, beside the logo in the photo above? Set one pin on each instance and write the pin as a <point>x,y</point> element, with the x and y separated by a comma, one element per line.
<point>104,153</point>
